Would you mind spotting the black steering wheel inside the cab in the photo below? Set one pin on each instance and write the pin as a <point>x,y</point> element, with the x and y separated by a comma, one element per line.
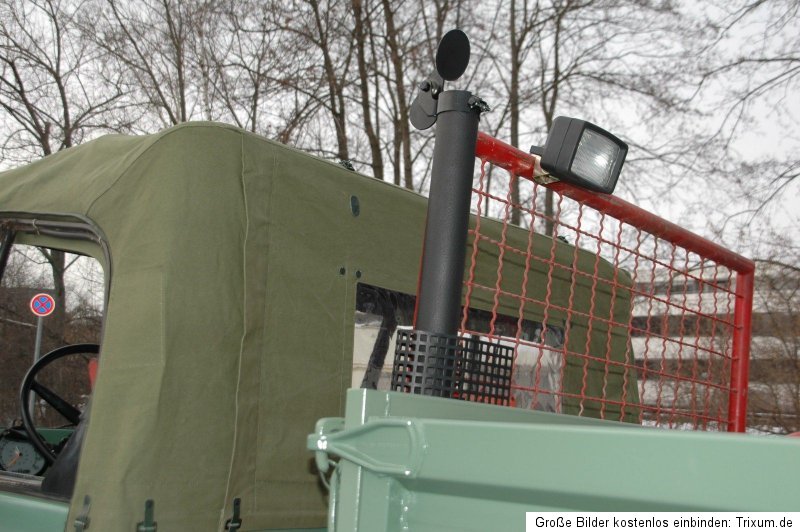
<point>30,384</point>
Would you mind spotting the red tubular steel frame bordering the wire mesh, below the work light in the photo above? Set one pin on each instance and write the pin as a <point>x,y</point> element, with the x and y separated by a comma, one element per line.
<point>524,165</point>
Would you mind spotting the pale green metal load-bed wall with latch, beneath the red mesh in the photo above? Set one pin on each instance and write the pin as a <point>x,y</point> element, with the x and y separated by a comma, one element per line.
<point>409,472</point>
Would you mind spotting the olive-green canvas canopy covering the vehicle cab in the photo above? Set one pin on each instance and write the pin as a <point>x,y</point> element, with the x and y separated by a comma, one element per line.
<point>232,269</point>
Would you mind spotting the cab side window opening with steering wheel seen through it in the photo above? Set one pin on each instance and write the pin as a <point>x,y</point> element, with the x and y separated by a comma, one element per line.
<point>51,301</point>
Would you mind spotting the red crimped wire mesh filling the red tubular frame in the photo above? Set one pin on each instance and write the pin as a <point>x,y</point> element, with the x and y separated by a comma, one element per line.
<point>662,315</point>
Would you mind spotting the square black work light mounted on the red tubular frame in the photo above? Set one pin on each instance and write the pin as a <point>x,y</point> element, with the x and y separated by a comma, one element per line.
<point>581,153</point>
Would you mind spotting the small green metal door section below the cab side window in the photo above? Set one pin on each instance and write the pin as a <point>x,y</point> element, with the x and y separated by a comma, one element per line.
<point>22,513</point>
